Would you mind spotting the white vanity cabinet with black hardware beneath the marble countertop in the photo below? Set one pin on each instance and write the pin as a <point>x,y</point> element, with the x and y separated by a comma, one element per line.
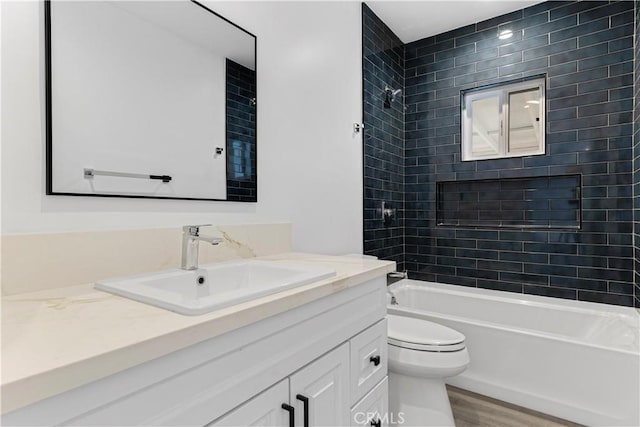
<point>330,352</point>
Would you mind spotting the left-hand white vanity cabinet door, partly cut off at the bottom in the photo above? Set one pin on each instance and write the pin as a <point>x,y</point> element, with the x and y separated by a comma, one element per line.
<point>264,410</point>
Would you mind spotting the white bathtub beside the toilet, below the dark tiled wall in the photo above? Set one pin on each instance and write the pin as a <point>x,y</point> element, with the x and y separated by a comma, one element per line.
<point>576,360</point>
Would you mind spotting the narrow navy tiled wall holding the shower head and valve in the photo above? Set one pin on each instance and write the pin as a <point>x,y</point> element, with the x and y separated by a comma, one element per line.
<point>383,139</point>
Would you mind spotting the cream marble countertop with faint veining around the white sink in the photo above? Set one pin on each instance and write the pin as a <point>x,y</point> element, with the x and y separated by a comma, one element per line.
<point>59,339</point>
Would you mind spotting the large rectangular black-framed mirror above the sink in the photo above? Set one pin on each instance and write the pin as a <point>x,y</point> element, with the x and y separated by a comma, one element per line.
<point>149,99</point>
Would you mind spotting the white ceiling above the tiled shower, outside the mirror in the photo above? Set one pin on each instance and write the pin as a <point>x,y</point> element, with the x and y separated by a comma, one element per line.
<point>415,20</point>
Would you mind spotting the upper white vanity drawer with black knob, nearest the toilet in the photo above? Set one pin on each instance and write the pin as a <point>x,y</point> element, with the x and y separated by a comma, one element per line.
<point>368,359</point>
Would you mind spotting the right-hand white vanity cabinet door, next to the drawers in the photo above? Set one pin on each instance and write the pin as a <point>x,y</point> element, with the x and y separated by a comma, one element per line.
<point>325,385</point>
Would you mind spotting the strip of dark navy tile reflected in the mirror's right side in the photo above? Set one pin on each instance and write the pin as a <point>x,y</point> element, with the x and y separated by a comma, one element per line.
<point>241,132</point>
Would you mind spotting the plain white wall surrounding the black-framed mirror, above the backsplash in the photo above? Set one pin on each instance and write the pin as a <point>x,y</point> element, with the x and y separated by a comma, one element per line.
<point>309,162</point>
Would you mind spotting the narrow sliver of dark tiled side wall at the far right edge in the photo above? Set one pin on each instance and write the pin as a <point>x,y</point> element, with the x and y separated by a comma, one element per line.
<point>636,159</point>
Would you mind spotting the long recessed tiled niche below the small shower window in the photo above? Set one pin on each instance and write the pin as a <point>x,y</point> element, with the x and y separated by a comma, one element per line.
<point>552,202</point>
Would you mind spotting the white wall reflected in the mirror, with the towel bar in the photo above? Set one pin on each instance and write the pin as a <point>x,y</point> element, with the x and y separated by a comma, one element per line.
<point>157,102</point>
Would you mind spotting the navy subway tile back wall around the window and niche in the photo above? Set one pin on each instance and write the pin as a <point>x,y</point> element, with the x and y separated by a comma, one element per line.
<point>586,51</point>
